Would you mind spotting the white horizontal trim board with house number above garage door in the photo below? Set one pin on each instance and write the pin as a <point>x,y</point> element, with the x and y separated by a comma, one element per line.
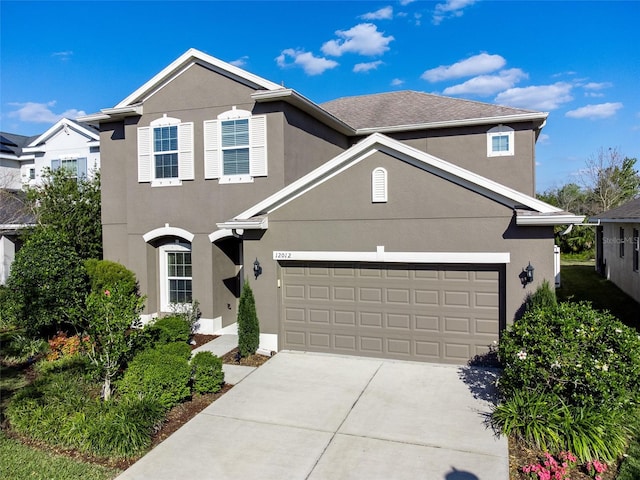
<point>380,256</point>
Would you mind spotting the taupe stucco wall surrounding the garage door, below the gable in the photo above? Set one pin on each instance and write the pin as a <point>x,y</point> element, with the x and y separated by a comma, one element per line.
<point>424,214</point>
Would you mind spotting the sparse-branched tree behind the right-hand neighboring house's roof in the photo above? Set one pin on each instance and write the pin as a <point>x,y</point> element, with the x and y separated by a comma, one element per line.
<point>611,178</point>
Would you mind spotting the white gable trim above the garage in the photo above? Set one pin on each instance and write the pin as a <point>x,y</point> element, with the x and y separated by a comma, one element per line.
<point>379,142</point>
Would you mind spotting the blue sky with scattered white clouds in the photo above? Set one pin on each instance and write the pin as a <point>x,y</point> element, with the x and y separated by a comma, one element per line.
<point>579,61</point>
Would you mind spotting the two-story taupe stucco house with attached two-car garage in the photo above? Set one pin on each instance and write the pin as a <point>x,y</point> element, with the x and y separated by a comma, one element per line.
<point>396,225</point>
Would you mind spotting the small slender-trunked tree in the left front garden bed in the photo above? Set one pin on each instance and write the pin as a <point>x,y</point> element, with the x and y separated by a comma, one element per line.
<point>112,313</point>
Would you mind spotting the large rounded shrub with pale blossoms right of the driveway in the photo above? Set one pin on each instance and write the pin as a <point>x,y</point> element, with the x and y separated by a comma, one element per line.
<point>585,357</point>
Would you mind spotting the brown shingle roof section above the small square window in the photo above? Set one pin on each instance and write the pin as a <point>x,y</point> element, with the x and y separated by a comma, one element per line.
<point>409,107</point>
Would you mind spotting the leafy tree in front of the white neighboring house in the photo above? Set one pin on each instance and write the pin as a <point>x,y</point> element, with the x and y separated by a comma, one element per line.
<point>70,205</point>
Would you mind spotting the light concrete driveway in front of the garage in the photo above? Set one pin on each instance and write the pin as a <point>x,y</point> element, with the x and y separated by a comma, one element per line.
<point>317,416</point>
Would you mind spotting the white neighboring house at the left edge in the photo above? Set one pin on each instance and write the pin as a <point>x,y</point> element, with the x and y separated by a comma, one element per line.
<point>69,144</point>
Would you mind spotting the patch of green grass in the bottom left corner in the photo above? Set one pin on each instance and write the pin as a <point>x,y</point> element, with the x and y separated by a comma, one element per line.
<point>20,462</point>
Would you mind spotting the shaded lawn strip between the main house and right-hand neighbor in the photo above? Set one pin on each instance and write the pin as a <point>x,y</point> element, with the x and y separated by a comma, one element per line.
<point>579,281</point>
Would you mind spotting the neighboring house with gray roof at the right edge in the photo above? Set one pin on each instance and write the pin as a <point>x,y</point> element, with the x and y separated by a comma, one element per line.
<point>618,246</point>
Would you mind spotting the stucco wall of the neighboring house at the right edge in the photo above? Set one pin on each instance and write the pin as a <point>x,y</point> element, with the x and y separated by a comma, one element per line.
<point>620,269</point>
